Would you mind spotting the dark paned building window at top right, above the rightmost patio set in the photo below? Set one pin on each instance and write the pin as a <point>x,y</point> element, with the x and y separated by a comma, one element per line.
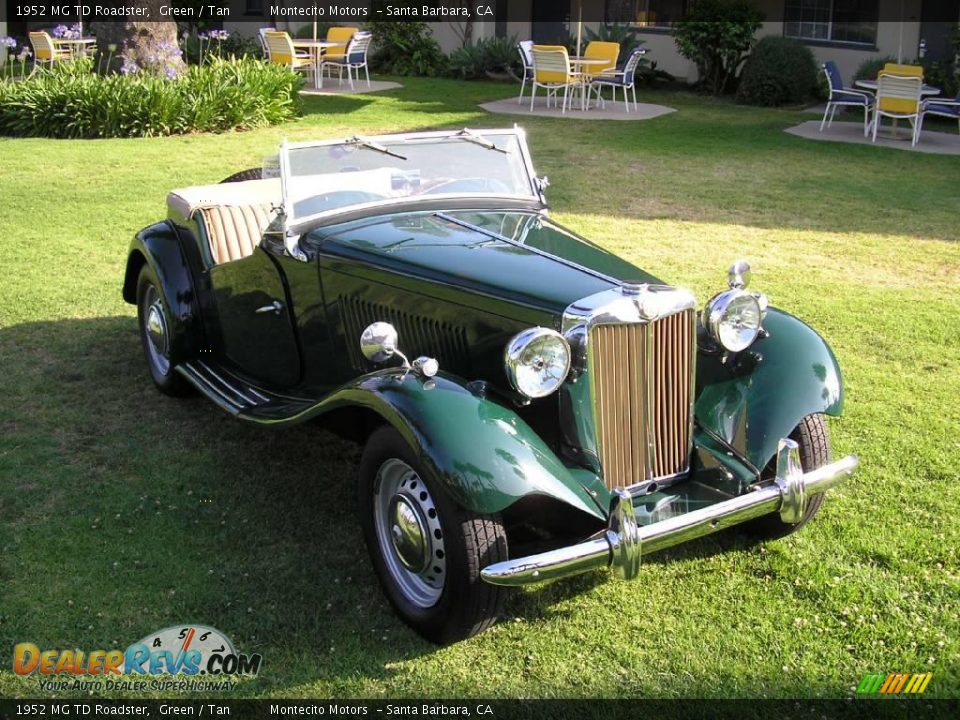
<point>852,21</point>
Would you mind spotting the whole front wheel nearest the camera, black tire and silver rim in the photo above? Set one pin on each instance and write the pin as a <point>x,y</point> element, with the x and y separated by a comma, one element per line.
<point>427,552</point>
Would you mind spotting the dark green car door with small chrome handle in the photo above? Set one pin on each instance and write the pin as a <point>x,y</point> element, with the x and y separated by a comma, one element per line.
<point>255,319</point>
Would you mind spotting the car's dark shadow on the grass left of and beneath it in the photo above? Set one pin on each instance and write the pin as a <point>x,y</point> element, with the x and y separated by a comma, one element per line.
<point>187,515</point>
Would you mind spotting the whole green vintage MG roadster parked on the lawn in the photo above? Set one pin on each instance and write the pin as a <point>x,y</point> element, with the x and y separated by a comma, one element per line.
<point>530,405</point>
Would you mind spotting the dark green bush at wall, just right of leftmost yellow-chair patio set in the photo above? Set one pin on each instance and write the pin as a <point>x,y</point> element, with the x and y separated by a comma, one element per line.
<point>405,48</point>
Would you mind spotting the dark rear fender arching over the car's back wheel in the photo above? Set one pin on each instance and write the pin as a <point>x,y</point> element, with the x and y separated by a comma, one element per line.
<point>159,246</point>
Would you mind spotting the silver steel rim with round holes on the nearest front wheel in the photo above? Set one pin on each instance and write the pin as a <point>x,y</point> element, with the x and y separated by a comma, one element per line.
<point>403,507</point>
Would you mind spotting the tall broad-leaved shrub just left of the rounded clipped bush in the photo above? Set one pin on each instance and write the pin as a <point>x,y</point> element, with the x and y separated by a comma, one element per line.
<point>716,35</point>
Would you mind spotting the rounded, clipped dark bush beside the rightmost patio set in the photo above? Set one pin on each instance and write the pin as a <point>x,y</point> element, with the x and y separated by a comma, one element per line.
<point>779,71</point>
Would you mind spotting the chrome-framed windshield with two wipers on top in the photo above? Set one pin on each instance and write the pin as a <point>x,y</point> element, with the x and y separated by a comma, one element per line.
<point>331,177</point>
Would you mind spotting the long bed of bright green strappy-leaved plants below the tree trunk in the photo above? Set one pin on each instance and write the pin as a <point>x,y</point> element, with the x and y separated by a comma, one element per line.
<point>69,101</point>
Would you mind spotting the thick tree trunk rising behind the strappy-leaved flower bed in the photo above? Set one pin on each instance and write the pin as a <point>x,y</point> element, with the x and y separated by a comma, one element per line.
<point>147,45</point>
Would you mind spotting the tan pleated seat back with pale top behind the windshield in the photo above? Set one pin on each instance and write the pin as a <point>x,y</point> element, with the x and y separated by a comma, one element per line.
<point>233,216</point>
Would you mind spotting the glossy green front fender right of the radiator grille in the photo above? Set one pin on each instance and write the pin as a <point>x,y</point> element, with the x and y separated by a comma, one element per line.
<point>761,395</point>
